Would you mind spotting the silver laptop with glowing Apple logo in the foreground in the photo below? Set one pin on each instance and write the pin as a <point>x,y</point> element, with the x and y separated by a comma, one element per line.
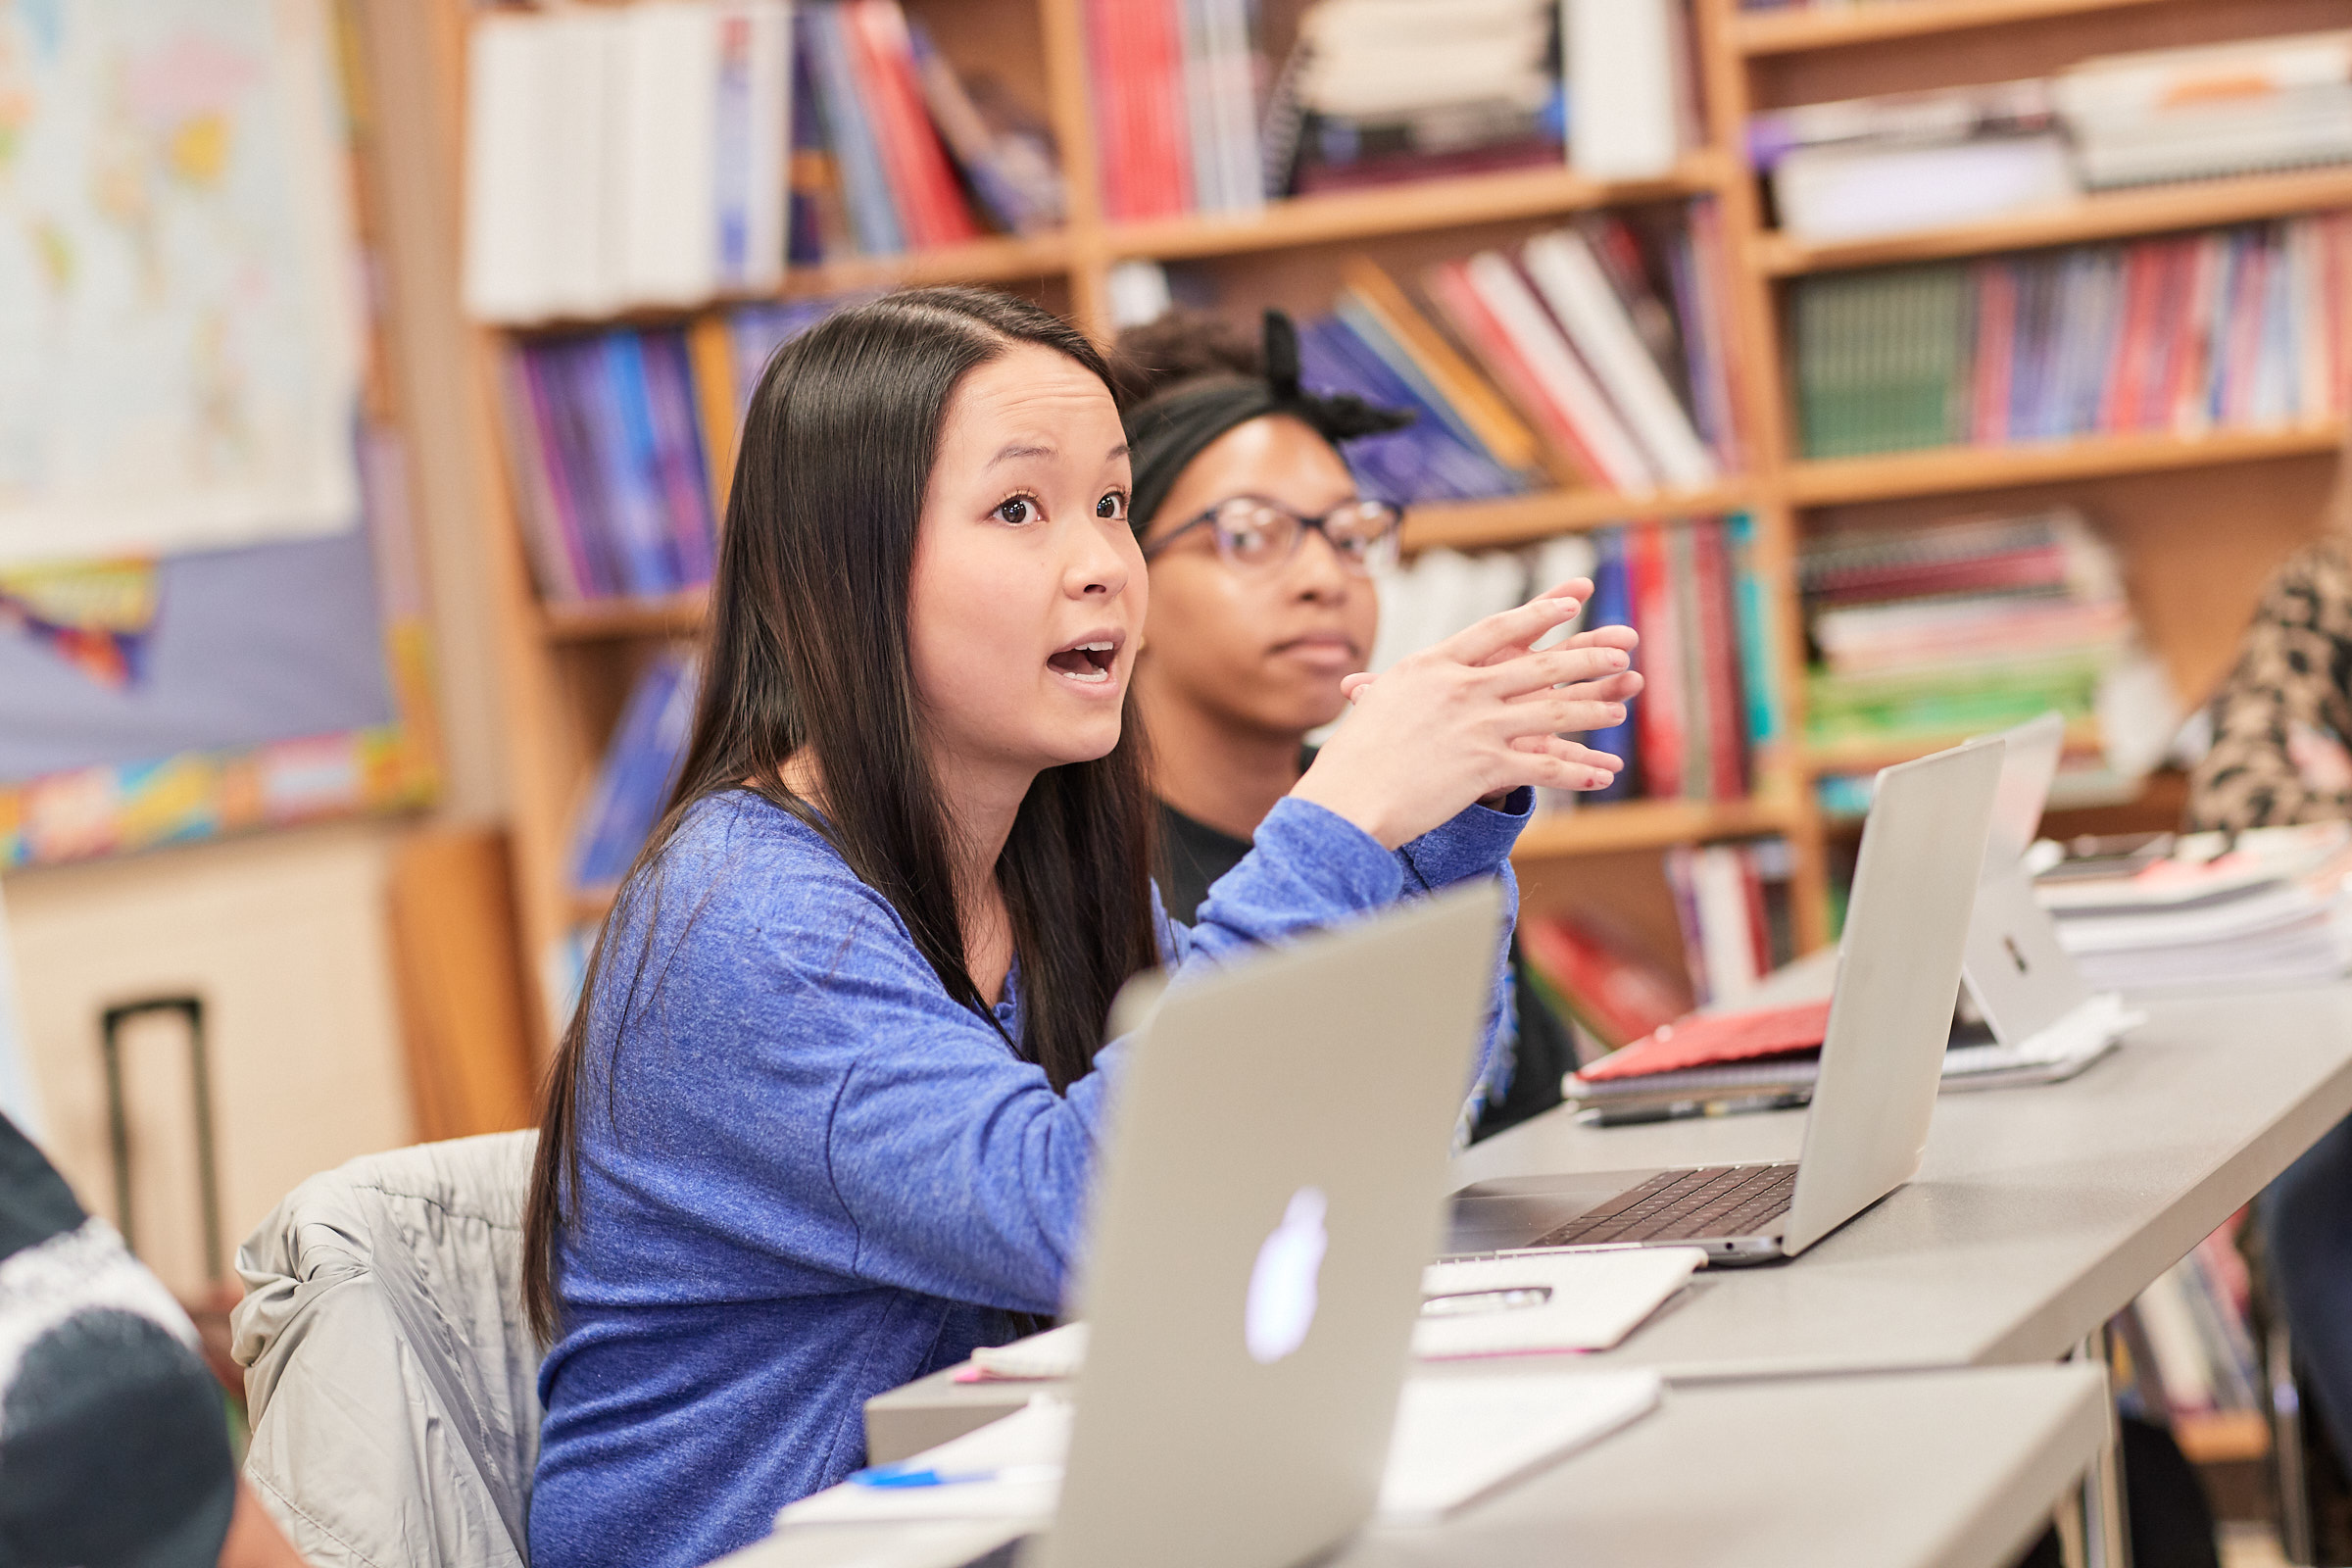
<point>1269,1200</point>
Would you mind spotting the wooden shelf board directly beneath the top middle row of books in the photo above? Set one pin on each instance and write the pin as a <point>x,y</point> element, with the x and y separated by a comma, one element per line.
<point>1363,215</point>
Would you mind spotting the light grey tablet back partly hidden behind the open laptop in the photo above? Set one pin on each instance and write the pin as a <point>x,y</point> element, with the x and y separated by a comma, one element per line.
<point>2014,967</point>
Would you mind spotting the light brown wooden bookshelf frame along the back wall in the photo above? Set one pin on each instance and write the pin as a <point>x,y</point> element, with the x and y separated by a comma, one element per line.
<point>568,666</point>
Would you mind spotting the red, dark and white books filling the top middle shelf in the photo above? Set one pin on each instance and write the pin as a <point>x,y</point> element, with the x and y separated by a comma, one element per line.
<point>1194,116</point>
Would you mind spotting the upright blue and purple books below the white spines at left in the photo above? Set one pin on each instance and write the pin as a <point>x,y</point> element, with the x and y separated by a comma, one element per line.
<point>610,464</point>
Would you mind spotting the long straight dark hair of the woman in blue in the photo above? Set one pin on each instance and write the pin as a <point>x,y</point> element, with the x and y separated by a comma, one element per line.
<point>810,650</point>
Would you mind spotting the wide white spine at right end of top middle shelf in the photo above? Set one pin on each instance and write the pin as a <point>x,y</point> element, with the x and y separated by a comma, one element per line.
<point>1622,88</point>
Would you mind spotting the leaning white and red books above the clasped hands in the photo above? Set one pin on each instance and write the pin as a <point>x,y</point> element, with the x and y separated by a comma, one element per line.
<point>1612,344</point>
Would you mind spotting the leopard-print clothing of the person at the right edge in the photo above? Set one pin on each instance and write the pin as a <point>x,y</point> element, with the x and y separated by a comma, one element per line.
<point>2294,674</point>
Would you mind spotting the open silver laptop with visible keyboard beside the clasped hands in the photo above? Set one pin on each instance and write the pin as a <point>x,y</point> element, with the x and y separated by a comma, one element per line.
<point>1880,1066</point>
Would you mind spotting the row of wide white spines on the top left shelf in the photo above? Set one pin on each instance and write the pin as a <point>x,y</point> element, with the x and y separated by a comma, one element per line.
<point>624,156</point>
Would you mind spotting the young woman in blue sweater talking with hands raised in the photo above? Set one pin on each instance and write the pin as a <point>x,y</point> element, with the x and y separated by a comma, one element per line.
<point>827,1113</point>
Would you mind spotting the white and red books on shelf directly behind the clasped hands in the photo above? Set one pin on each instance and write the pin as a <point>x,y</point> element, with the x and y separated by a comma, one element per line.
<point>1695,596</point>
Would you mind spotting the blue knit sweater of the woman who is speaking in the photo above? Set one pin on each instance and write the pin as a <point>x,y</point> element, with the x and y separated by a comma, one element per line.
<point>815,1177</point>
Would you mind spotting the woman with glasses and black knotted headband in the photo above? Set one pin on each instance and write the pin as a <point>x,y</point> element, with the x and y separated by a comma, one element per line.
<point>1262,565</point>
